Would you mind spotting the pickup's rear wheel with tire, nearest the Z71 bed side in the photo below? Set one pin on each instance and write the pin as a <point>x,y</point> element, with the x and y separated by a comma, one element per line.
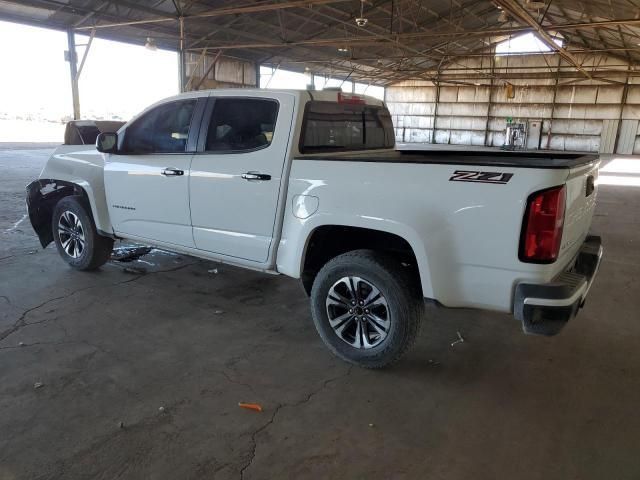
<point>366,308</point>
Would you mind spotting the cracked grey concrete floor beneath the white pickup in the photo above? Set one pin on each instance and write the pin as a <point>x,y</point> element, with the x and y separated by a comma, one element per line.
<point>112,347</point>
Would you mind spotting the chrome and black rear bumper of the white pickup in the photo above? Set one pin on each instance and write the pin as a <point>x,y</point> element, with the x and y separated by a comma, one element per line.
<point>545,308</point>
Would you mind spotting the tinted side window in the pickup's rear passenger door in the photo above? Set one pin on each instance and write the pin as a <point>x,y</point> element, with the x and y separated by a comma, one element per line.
<point>241,124</point>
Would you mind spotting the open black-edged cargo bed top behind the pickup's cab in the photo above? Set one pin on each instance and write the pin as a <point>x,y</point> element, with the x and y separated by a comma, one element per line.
<point>492,158</point>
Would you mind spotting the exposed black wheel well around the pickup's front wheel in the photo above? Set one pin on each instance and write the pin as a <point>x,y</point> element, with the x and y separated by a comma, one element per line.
<point>42,197</point>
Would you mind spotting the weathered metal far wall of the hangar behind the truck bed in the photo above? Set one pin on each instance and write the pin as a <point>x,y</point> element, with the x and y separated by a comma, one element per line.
<point>583,116</point>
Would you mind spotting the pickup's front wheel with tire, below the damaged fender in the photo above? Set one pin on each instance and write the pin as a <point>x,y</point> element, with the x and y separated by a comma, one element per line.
<point>76,236</point>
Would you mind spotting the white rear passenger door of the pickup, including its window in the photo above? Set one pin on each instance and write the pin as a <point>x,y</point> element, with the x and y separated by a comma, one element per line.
<point>237,172</point>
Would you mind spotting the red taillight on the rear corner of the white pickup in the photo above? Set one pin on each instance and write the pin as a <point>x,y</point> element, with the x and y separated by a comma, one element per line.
<point>542,227</point>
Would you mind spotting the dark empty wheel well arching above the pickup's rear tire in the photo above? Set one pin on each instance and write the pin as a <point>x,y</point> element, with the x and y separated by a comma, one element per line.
<point>329,241</point>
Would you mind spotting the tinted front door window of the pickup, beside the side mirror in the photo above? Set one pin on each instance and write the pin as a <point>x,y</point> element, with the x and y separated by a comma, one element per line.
<point>164,129</point>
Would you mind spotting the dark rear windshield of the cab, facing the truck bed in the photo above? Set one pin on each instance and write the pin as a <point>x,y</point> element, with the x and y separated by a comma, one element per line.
<point>332,126</point>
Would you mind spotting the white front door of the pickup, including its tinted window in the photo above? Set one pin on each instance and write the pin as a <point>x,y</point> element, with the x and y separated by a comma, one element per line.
<point>147,181</point>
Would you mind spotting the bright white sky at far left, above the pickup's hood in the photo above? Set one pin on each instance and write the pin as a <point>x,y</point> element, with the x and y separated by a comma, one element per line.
<point>117,78</point>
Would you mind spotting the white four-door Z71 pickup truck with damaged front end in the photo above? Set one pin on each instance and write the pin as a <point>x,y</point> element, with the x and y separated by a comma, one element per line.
<point>308,184</point>
